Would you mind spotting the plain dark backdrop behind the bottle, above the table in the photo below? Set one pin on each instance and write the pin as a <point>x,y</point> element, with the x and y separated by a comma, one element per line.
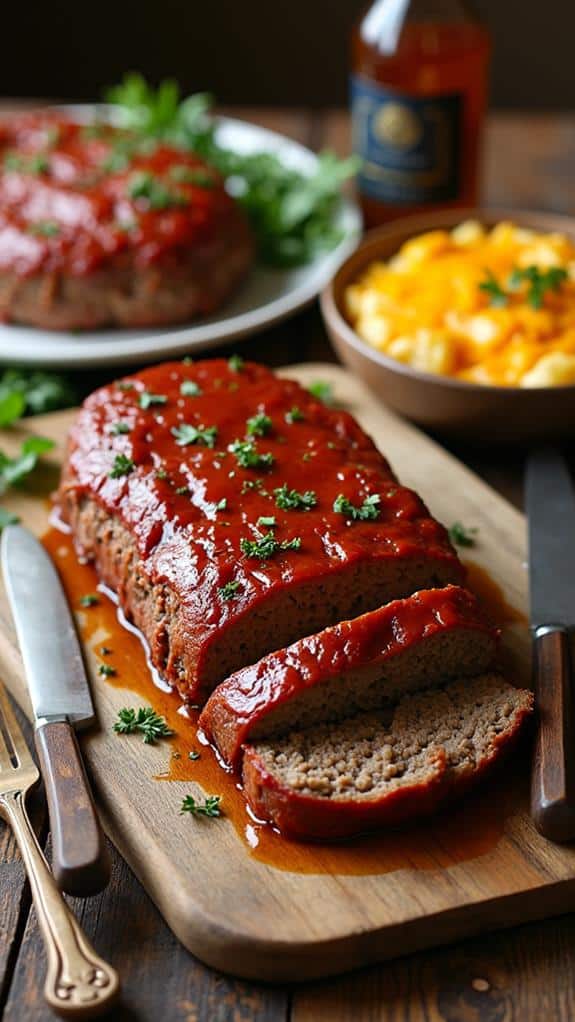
<point>277,53</point>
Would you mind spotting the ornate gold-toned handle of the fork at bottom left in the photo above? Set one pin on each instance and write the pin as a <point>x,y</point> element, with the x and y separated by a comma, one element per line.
<point>79,984</point>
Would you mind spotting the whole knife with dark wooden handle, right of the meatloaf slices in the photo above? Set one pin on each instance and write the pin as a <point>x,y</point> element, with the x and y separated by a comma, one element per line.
<point>551,509</point>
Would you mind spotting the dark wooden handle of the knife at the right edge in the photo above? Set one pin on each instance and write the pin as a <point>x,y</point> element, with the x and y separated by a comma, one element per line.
<point>553,781</point>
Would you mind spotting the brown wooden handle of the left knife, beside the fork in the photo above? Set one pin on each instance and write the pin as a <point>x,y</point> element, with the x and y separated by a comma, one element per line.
<point>80,861</point>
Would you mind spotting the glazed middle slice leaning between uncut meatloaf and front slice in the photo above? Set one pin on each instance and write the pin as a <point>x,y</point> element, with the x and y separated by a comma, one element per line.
<point>360,665</point>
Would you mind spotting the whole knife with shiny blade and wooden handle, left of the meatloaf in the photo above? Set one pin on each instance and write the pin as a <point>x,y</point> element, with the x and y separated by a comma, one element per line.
<point>62,702</point>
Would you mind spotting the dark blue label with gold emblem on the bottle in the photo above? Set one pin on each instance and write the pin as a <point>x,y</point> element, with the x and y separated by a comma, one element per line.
<point>410,146</point>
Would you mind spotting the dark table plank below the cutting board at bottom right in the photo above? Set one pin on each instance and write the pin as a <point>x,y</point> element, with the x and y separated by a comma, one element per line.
<point>529,974</point>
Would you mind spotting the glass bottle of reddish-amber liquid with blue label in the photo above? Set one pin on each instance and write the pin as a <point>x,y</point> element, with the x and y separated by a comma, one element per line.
<point>418,101</point>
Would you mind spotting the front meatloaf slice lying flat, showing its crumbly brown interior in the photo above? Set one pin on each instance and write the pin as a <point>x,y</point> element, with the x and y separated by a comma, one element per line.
<point>333,781</point>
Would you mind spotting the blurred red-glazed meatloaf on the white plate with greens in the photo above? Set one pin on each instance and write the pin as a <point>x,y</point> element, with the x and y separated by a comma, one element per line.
<point>100,227</point>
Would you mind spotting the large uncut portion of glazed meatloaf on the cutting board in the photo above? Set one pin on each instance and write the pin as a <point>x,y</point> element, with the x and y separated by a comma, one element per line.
<point>233,514</point>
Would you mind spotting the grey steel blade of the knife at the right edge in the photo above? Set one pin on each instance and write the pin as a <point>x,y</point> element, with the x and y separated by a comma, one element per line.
<point>551,510</point>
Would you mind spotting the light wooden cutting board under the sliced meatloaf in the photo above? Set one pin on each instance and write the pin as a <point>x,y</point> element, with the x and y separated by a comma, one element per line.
<point>476,867</point>
